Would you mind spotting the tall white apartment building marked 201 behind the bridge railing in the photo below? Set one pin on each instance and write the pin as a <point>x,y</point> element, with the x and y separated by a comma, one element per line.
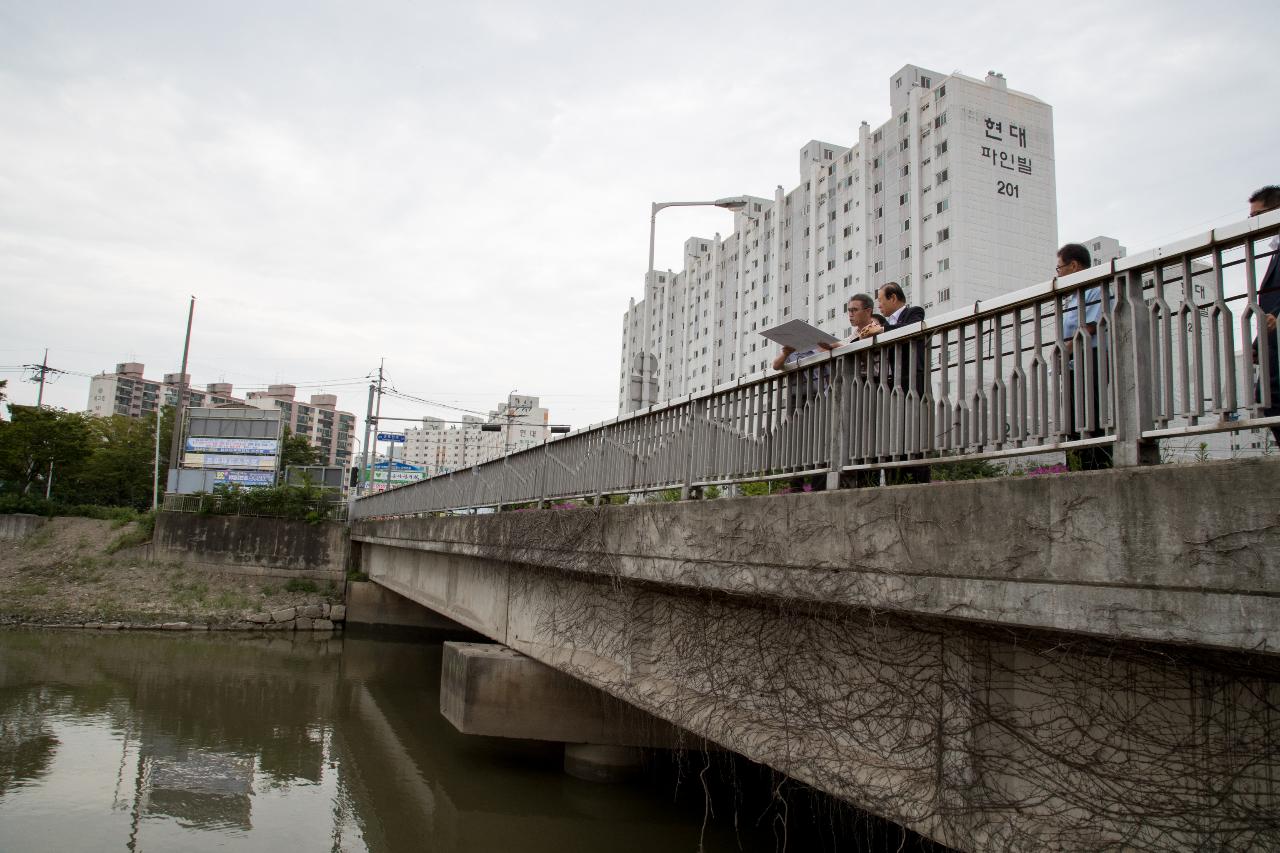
<point>954,198</point>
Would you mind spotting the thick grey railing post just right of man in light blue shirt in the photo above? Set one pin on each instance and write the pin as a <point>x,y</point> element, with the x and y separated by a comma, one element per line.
<point>1133,377</point>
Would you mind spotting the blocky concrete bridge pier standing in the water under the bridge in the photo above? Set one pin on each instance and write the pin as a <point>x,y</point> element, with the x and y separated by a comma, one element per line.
<point>491,690</point>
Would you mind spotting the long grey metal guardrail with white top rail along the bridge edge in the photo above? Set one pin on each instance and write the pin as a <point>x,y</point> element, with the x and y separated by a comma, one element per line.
<point>993,381</point>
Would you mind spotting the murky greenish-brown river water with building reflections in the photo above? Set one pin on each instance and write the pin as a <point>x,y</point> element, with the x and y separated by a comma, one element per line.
<point>235,742</point>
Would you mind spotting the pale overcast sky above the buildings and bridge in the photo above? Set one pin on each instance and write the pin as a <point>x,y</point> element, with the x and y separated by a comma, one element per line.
<point>465,191</point>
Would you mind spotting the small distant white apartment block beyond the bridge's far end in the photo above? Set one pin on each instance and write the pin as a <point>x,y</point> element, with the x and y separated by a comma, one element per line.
<point>441,446</point>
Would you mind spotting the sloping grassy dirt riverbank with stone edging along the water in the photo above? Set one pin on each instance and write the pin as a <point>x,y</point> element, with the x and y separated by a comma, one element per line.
<point>71,573</point>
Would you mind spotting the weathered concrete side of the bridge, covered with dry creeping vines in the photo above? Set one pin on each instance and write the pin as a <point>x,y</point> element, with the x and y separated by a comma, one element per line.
<point>1007,697</point>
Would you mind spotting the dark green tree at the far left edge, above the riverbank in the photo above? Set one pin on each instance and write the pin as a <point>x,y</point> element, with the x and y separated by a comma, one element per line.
<point>35,443</point>
